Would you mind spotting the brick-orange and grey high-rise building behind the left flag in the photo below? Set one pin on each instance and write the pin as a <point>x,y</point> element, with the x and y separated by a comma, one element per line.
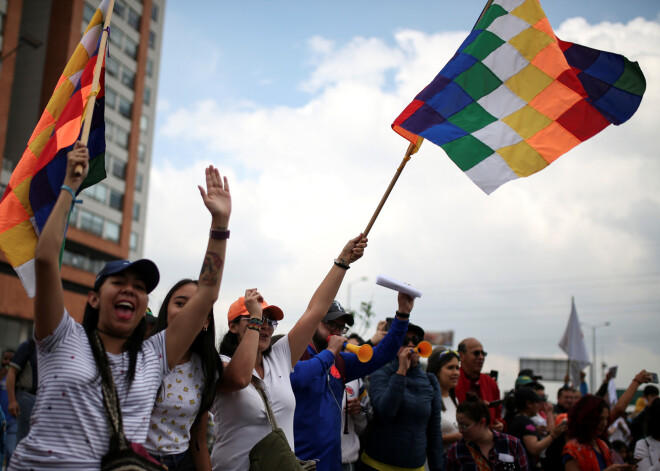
<point>37,37</point>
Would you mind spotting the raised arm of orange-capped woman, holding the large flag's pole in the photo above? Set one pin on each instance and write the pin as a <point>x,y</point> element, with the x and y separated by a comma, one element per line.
<point>302,332</point>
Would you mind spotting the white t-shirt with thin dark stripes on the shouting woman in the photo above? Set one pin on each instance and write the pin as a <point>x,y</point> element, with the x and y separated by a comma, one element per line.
<point>69,428</point>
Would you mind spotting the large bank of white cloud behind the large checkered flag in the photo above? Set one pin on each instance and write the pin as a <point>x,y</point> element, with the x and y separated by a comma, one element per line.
<point>501,268</point>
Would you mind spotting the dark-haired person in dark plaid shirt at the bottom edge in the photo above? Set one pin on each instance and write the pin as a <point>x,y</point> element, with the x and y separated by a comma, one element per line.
<point>481,447</point>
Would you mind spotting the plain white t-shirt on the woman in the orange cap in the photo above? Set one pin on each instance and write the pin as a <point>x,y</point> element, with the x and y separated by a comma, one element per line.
<point>240,416</point>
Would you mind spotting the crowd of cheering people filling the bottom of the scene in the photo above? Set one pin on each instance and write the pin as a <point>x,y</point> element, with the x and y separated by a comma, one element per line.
<point>294,401</point>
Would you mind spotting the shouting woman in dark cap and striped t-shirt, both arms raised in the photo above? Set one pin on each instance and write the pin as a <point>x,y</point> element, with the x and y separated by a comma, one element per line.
<point>70,428</point>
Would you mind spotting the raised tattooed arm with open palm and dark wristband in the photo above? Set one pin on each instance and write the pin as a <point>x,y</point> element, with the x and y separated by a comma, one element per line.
<point>182,330</point>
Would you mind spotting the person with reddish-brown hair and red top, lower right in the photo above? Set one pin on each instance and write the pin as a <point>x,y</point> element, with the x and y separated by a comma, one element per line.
<point>585,451</point>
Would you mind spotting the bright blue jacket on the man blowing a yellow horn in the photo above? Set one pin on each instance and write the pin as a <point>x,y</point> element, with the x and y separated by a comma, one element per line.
<point>318,388</point>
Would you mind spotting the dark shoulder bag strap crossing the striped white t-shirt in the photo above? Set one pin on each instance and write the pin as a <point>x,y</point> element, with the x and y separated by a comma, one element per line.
<point>110,398</point>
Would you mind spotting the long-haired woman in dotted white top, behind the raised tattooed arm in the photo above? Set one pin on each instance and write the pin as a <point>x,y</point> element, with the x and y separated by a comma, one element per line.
<point>177,429</point>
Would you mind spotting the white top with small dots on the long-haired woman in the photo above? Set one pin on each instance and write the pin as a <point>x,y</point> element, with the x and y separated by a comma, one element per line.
<point>176,408</point>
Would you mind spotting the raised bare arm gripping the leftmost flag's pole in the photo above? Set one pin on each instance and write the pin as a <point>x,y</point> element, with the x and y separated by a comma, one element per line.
<point>49,297</point>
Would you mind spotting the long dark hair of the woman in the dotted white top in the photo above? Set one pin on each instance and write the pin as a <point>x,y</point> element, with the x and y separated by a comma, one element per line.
<point>203,346</point>
